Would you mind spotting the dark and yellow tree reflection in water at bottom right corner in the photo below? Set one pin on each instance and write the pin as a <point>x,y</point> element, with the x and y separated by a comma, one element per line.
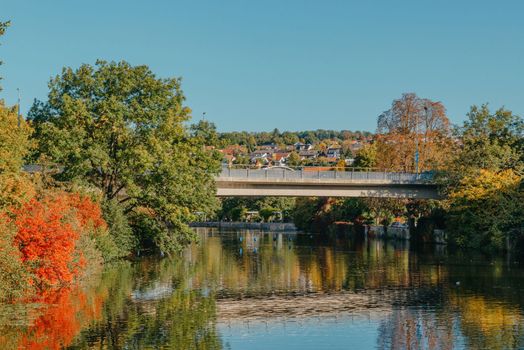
<point>489,302</point>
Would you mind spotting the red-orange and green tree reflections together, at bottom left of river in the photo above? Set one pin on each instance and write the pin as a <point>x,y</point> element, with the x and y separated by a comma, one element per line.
<point>119,310</point>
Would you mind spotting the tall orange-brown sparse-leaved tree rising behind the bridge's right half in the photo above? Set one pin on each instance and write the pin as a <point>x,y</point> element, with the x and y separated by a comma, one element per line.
<point>413,123</point>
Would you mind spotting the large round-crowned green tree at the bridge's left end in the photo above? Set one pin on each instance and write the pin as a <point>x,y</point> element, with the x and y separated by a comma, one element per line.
<point>121,129</point>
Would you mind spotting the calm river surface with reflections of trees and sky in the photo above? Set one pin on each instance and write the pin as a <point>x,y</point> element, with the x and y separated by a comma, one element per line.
<point>253,290</point>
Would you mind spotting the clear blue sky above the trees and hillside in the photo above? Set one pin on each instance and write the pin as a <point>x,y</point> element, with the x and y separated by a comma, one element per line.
<point>294,65</point>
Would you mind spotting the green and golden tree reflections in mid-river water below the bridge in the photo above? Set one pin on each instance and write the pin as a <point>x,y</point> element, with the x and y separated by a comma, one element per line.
<point>298,264</point>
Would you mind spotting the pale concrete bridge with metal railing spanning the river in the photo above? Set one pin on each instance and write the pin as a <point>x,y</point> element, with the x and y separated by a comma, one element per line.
<point>317,182</point>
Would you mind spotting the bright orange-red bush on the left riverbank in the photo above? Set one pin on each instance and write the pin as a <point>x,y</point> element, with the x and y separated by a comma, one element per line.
<point>47,232</point>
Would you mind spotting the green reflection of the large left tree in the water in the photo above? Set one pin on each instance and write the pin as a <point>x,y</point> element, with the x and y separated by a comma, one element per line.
<point>180,319</point>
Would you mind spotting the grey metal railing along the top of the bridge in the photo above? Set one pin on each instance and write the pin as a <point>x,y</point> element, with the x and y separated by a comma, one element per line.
<point>322,174</point>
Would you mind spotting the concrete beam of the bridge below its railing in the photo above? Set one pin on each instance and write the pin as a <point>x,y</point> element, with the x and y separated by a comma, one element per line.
<point>323,189</point>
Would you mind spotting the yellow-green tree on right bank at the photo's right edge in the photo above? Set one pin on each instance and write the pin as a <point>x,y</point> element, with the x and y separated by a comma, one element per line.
<point>484,181</point>
